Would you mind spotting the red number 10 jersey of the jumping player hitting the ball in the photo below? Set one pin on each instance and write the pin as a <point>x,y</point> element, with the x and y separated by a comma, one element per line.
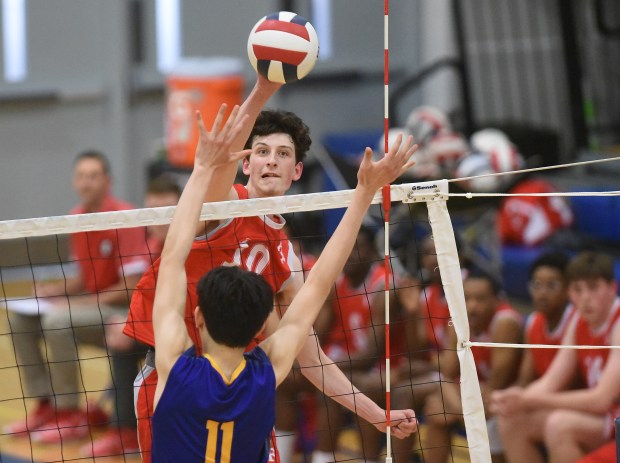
<point>253,243</point>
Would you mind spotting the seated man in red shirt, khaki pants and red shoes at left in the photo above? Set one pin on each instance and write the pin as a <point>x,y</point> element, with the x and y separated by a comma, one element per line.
<point>110,264</point>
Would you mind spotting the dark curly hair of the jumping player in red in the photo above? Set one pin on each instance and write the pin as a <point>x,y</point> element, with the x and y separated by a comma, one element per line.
<point>277,121</point>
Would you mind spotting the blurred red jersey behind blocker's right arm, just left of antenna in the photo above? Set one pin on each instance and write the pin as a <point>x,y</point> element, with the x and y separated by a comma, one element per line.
<point>353,320</point>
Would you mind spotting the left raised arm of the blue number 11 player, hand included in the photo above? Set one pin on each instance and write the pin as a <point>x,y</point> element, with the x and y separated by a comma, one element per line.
<point>171,290</point>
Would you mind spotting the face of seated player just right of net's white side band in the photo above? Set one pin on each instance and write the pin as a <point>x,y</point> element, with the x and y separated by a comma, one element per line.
<point>481,303</point>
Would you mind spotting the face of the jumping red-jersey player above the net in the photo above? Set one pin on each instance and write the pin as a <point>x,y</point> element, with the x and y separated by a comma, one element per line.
<point>271,167</point>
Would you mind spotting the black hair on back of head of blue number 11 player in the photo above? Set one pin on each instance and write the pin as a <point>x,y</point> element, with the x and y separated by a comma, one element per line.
<point>235,303</point>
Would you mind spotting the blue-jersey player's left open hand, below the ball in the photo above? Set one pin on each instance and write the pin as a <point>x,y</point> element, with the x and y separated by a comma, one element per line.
<point>213,148</point>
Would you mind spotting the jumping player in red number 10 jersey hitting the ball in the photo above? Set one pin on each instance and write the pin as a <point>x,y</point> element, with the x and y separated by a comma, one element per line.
<point>278,142</point>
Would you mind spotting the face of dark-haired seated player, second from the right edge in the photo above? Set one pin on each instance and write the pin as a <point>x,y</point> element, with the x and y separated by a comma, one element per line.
<point>548,290</point>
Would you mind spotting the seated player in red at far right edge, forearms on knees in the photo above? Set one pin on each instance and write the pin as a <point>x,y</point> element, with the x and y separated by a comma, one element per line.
<point>570,423</point>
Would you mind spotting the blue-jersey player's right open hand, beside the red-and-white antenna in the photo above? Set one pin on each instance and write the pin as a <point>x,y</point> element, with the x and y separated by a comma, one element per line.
<point>373,175</point>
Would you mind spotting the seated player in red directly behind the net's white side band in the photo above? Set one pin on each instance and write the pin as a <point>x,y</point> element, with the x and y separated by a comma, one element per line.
<point>490,320</point>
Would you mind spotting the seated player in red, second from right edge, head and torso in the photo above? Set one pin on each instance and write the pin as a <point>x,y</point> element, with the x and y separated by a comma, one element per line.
<point>552,314</point>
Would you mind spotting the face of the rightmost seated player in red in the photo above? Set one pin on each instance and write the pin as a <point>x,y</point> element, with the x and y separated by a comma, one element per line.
<point>593,298</point>
